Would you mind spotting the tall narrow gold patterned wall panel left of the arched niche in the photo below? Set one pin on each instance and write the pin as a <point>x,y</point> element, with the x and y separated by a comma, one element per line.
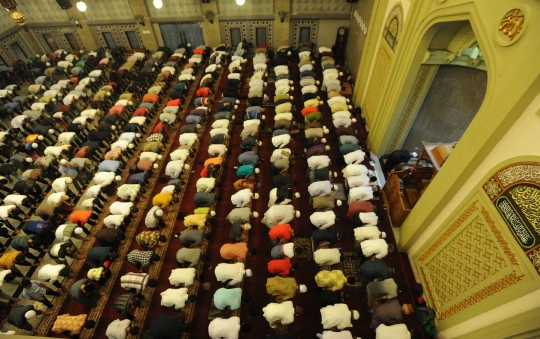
<point>377,82</point>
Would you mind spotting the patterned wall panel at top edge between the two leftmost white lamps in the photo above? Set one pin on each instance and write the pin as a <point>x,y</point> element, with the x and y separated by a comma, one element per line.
<point>107,10</point>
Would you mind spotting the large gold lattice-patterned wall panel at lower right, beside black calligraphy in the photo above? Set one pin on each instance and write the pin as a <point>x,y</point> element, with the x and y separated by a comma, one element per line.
<point>469,262</point>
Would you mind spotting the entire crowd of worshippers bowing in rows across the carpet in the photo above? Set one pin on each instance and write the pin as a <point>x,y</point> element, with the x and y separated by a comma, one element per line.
<point>79,129</point>
